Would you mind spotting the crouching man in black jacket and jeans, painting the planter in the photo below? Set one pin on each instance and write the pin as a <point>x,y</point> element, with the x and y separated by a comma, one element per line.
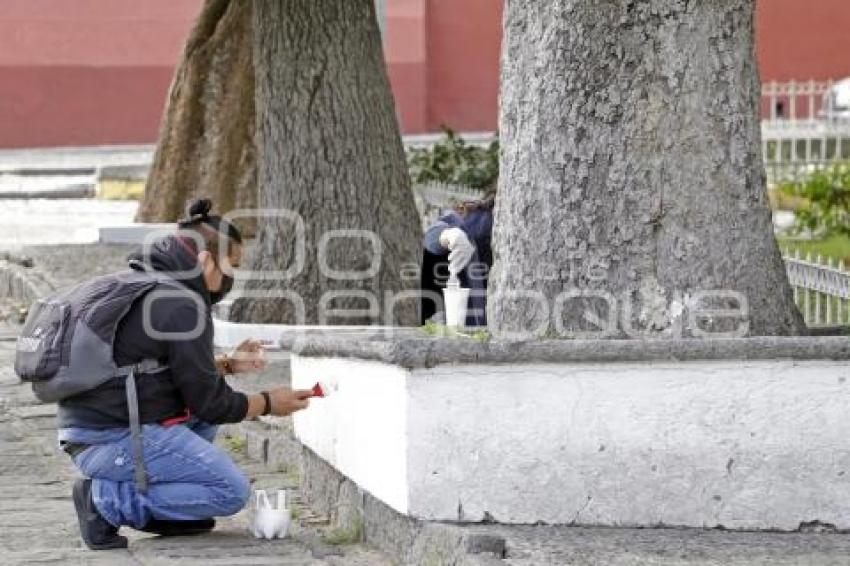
<point>189,479</point>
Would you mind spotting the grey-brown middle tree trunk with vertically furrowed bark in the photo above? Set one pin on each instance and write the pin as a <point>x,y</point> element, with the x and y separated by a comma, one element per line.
<point>329,151</point>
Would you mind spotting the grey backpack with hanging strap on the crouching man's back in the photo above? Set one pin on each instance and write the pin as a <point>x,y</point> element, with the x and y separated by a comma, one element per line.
<point>66,344</point>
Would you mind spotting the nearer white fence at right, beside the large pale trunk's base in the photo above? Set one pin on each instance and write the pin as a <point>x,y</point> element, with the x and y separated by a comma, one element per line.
<point>821,288</point>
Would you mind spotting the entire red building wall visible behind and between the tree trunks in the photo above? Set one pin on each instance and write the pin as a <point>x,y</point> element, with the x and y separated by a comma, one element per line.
<point>92,72</point>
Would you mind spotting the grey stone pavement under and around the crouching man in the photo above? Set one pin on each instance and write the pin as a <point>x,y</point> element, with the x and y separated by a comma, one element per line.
<point>38,523</point>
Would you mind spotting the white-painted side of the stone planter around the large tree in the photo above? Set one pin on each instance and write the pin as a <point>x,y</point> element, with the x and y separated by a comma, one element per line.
<point>746,444</point>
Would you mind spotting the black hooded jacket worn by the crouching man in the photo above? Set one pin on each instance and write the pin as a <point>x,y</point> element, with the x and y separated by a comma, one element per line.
<point>191,381</point>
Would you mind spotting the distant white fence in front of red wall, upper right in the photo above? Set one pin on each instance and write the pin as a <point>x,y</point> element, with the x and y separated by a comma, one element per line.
<point>800,133</point>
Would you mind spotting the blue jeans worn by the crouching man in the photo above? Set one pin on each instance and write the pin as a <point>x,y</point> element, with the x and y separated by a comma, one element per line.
<point>189,477</point>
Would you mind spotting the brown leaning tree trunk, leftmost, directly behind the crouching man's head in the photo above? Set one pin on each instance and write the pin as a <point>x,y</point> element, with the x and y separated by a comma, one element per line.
<point>206,142</point>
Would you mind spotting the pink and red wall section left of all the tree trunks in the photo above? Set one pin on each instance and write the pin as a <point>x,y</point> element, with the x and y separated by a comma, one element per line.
<point>87,72</point>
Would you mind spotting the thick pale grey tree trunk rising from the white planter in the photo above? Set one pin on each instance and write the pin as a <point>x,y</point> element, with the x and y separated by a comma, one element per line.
<point>632,172</point>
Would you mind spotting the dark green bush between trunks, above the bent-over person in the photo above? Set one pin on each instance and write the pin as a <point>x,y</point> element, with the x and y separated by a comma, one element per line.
<point>452,160</point>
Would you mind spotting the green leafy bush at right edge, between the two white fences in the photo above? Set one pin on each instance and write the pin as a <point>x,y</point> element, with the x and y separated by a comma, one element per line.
<point>827,197</point>
